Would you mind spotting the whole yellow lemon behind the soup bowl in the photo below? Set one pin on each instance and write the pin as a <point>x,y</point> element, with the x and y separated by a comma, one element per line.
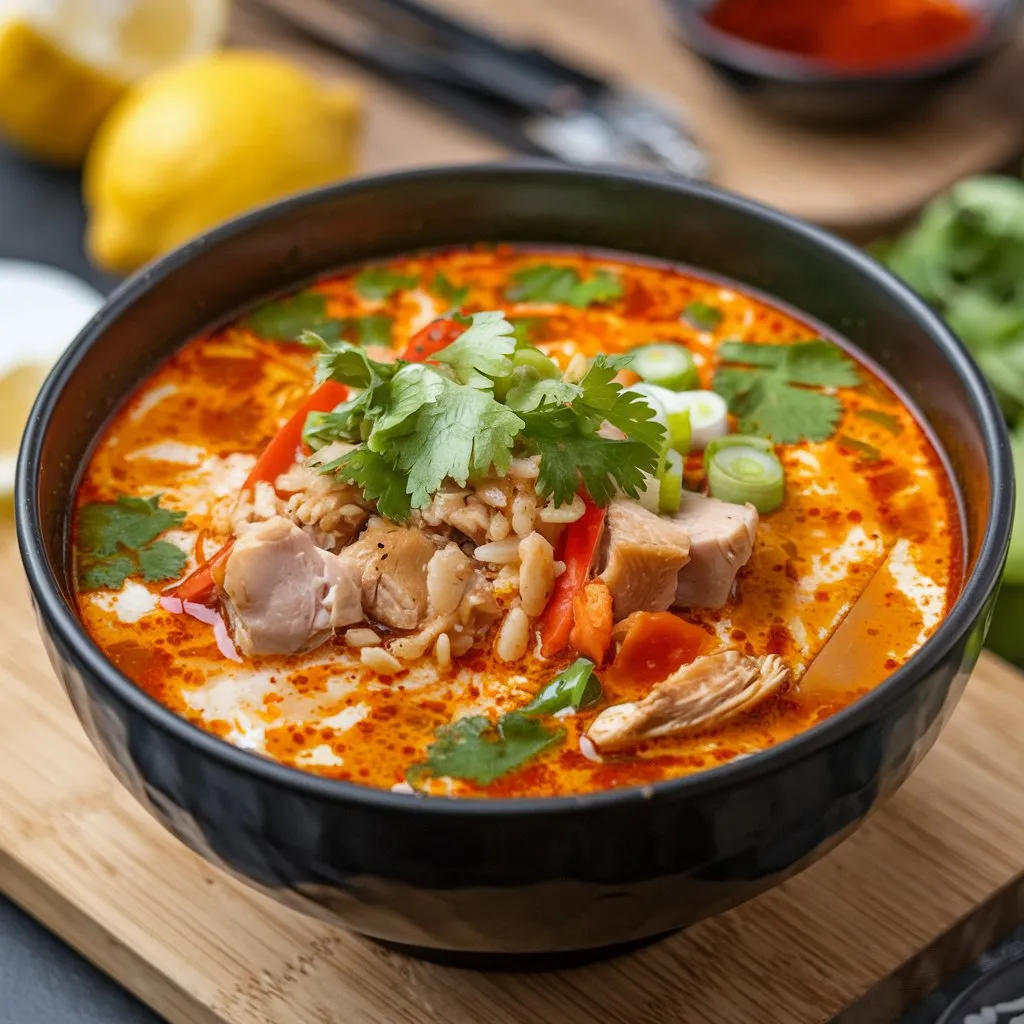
<point>205,141</point>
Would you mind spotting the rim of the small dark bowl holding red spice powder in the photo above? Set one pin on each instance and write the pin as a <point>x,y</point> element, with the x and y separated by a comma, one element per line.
<point>791,69</point>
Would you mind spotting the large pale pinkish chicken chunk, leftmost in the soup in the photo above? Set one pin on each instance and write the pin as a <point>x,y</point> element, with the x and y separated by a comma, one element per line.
<point>276,588</point>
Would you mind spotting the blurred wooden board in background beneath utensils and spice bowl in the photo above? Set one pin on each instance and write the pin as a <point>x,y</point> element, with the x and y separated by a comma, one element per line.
<point>858,183</point>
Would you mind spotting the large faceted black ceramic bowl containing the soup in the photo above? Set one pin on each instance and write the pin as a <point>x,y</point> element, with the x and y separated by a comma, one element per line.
<point>467,878</point>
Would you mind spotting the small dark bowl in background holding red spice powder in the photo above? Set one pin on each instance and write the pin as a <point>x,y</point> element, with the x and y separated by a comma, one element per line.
<point>801,90</point>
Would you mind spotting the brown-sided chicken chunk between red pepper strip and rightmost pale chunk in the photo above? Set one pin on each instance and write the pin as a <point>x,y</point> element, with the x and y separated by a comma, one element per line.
<point>646,553</point>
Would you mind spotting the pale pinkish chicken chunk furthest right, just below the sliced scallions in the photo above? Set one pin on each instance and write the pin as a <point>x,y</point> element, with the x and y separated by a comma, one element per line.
<point>721,541</point>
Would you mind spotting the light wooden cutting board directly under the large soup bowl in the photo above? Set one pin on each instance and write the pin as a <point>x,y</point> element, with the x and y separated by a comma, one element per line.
<point>928,884</point>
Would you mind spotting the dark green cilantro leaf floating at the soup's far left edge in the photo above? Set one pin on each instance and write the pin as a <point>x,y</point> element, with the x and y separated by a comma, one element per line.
<point>118,540</point>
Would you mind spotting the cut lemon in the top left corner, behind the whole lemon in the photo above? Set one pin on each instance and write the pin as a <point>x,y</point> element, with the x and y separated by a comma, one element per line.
<point>64,64</point>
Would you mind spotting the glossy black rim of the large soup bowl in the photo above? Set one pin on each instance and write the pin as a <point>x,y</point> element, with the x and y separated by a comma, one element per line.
<point>61,618</point>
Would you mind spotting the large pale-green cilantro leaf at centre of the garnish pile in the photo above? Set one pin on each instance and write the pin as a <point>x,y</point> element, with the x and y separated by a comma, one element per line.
<point>464,433</point>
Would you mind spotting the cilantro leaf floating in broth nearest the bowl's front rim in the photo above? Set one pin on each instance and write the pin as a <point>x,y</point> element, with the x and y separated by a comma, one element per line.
<point>477,750</point>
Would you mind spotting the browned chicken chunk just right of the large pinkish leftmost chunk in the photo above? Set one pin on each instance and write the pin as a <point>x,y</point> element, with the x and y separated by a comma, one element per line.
<point>395,578</point>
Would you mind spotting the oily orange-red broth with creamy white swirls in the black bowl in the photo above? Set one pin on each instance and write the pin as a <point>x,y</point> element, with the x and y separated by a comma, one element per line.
<point>193,430</point>
